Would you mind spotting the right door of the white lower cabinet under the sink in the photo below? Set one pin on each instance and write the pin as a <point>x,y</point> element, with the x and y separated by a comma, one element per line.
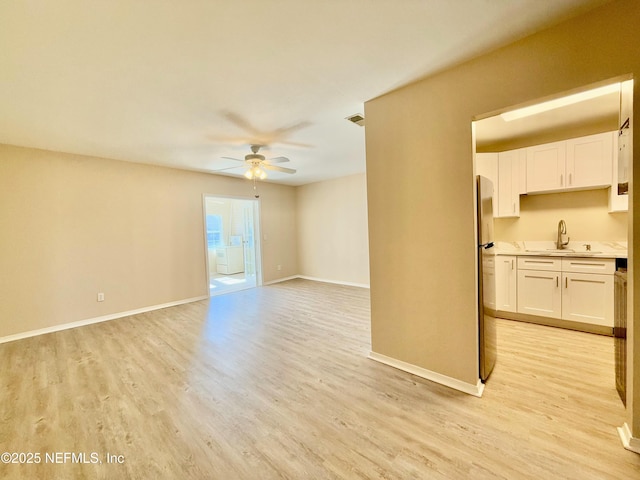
<point>588,298</point>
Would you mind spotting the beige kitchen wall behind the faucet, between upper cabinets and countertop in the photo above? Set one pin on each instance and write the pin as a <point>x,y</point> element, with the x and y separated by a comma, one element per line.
<point>586,214</point>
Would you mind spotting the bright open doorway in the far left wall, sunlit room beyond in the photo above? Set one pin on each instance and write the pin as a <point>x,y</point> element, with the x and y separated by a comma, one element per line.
<point>232,246</point>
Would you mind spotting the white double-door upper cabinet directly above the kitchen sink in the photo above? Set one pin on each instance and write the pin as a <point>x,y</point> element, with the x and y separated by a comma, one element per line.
<point>575,164</point>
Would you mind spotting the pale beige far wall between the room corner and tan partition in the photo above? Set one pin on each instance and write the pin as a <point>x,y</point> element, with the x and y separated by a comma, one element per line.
<point>332,230</point>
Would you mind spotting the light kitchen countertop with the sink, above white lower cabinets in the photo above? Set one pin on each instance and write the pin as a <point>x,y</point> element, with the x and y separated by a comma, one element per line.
<point>574,249</point>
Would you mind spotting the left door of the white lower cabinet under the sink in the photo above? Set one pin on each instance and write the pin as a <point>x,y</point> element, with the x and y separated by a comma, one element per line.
<point>539,293</point>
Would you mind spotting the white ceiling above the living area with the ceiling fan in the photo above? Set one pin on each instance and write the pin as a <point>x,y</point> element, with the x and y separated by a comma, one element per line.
<point>183,83</point>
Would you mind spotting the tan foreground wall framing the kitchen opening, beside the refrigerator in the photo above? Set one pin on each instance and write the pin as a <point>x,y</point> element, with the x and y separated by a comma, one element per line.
<point>421,212</point>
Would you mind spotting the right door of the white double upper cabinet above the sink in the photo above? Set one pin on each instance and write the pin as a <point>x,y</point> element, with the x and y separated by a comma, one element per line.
<point>589,161</point>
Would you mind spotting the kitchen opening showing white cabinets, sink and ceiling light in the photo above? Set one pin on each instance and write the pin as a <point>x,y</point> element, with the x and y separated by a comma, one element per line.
<point>560,170</point>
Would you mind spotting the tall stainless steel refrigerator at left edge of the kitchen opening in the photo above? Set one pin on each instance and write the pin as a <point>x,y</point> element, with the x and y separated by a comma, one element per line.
<point>486,278</point>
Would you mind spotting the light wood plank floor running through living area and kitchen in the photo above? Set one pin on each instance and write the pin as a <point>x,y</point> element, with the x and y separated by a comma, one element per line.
<point>274,382</point>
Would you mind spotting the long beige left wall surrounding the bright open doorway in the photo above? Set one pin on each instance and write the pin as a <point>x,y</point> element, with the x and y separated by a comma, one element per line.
<point>73,226</point>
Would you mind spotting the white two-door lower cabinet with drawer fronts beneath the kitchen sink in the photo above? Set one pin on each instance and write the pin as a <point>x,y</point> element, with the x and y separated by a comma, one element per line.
<point>575,289</point>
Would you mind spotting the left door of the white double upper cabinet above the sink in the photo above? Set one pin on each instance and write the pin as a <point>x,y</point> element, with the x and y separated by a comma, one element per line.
<point>545,167</point>
